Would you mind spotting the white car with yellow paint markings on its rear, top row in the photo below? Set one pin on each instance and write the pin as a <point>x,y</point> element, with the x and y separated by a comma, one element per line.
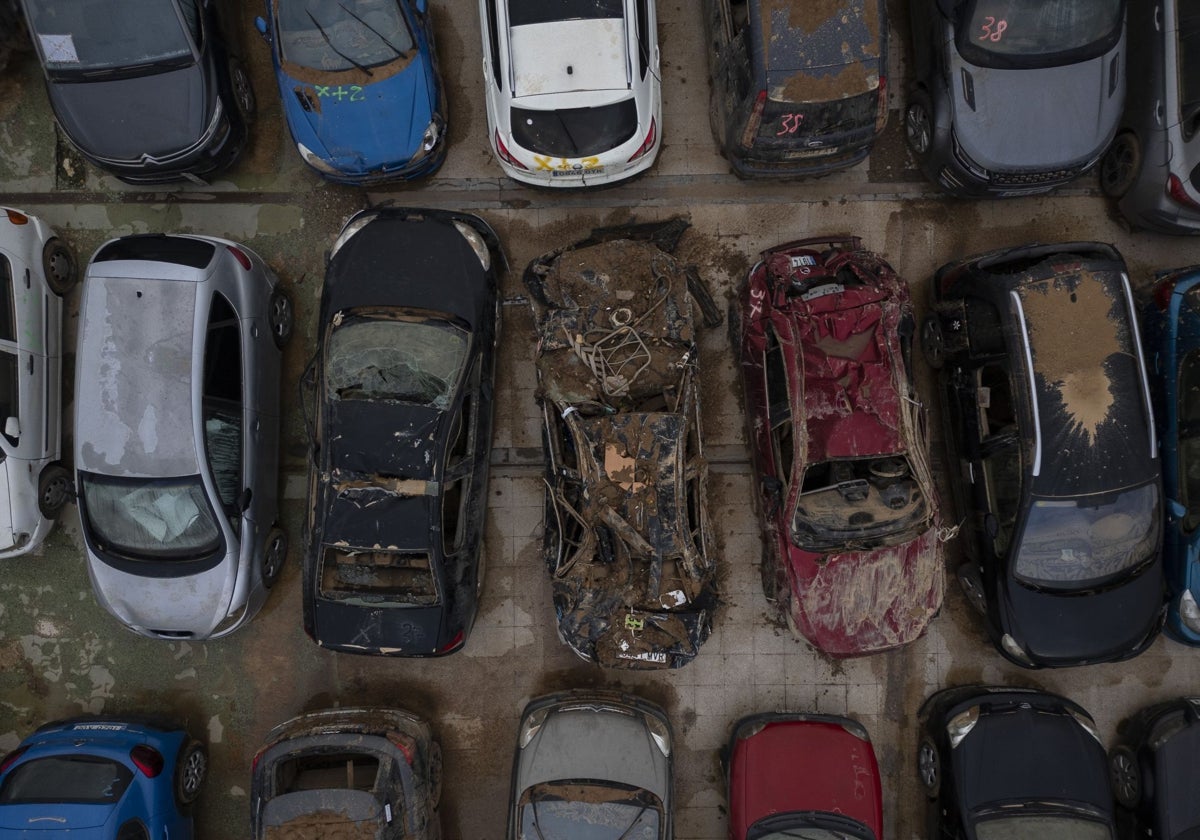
<point>573,89</point>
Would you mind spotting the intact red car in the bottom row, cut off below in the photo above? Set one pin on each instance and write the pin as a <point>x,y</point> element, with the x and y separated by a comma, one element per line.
<point>796,776</point>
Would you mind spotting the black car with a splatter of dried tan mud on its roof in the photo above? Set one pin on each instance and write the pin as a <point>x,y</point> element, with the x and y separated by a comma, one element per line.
<point>1053,453</point>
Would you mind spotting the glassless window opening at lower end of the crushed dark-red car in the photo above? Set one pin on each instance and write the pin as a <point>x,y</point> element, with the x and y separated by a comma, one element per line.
<point>857,500</point>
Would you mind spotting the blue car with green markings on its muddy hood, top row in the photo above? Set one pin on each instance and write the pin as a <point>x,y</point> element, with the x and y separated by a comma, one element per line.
<point>361,87</point>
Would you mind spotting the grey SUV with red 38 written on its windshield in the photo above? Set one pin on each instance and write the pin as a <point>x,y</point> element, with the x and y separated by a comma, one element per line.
<point>1013,98</point>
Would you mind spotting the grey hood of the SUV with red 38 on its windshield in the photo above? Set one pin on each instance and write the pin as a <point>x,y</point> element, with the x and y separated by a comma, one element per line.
<point>1035,119</point>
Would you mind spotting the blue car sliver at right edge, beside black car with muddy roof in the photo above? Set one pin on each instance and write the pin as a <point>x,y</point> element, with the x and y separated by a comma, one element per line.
<point>1172,326</point>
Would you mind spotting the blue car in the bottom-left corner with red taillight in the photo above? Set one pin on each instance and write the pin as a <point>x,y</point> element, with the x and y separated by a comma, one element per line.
<point>101,779</point>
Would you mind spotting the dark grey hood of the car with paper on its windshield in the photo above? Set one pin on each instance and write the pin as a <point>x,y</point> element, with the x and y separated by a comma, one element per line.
<point>123,119</point>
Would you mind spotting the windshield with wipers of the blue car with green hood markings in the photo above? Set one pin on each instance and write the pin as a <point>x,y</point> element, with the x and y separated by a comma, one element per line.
<point>337,35</point>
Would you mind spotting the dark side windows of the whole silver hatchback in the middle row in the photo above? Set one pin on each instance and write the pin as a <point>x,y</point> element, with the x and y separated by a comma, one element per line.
<point>224,401</point>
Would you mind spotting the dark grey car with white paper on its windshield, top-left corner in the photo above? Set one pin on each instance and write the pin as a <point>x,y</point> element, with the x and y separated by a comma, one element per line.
<point>146,91</point>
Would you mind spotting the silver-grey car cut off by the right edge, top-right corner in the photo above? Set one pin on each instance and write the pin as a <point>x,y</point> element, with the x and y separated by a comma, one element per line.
<point>1154,166</point>
